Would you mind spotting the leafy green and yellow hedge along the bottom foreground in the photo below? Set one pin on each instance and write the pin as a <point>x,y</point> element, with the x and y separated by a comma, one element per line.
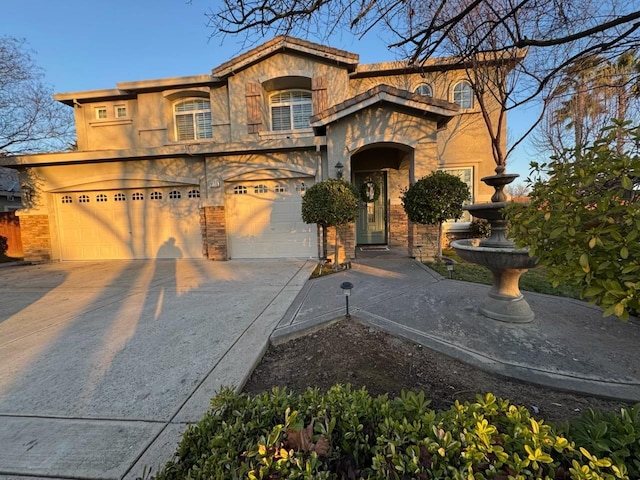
<point>347,434</point>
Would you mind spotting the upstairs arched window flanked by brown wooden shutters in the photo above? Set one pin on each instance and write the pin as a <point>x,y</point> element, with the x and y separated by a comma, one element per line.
<point>290,110</point>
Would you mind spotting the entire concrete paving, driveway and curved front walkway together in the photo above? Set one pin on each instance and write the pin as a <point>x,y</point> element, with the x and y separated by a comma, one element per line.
<point>104,364</point>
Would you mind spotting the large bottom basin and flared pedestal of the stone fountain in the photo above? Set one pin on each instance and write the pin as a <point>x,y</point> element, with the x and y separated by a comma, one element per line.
<point>504,302</point>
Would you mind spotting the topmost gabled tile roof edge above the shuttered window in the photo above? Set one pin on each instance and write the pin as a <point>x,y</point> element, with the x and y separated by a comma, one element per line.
<point>286,44</point>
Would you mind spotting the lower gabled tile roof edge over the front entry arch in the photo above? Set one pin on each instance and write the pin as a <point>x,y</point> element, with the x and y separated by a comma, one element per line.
<point>385,93</point>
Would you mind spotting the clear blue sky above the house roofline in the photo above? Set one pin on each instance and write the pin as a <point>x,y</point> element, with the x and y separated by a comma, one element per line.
<point>94,44</point>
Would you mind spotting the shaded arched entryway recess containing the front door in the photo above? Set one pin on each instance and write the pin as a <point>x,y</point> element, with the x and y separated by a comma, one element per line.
<point>380,172</point>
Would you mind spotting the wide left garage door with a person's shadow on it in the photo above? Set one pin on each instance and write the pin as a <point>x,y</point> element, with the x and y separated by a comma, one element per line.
<point>130,223</point>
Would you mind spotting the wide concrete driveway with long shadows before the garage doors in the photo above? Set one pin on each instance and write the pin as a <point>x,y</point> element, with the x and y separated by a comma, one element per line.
<point>103,364</point>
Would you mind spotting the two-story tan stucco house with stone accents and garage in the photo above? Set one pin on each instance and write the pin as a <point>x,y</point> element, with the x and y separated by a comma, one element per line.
<point>216,165</point>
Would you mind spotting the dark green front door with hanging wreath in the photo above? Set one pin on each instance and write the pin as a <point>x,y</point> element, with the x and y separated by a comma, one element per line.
<point>371,224</point>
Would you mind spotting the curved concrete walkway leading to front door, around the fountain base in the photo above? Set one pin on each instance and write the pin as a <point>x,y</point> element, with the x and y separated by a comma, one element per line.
<point>568,346</point>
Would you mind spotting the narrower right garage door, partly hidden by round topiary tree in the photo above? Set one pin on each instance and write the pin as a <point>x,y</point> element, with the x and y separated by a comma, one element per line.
<point>263,220</point>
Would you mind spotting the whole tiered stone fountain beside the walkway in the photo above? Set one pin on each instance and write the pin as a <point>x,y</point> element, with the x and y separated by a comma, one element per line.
<point>504,301</point>
